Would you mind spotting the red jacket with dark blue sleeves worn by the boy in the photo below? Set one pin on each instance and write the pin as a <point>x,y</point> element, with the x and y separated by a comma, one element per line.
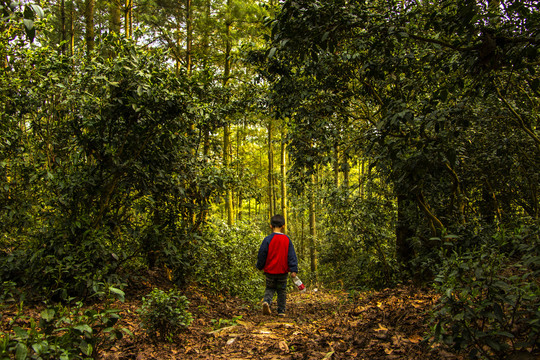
<point>277,255</point>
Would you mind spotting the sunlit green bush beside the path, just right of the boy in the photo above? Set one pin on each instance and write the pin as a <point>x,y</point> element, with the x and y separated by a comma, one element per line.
<point>359,246</point>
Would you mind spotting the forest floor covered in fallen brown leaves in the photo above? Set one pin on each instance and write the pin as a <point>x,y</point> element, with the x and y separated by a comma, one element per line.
<point>323,324</point>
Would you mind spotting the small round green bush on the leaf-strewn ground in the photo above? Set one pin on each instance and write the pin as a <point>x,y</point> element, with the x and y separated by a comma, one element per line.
<point>164,313</point>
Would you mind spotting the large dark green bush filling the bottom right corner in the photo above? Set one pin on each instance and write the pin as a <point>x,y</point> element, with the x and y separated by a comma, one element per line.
<point>490,298</point>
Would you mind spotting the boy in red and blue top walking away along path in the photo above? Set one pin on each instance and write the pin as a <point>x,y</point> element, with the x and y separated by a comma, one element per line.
<point>277,258</point>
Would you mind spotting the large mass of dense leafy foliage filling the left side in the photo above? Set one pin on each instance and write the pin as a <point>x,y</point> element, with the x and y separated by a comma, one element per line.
<point>97,166</point>
